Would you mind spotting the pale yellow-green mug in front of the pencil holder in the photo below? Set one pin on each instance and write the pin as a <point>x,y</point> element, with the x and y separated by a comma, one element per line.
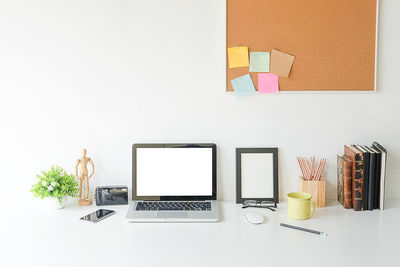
<point>299,205</point>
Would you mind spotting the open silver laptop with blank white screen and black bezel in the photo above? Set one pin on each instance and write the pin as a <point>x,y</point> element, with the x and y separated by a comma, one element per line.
<point>174,183</point>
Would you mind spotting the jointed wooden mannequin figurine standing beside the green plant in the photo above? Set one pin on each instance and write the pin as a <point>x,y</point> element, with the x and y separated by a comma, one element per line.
<point>84,177</point>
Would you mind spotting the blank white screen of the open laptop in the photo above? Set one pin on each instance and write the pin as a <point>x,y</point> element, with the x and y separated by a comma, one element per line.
<point>174,171</point>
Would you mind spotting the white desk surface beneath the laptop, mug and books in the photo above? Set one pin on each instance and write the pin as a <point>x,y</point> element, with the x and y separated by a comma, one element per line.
<point>58,238</point>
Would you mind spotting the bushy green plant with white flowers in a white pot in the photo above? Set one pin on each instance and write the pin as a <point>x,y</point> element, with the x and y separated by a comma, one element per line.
<point>55,185</point>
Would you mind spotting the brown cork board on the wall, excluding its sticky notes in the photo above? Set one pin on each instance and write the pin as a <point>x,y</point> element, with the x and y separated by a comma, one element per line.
<point>334,41</point>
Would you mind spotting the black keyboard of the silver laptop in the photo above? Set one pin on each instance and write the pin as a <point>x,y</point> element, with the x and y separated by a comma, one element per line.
<point>174,205</point>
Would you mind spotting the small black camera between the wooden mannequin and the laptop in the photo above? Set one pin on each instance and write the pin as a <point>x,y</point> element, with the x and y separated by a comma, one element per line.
<point>111,195</point>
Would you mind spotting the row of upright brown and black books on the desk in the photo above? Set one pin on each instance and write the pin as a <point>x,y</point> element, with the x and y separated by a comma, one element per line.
<point>361,177</point>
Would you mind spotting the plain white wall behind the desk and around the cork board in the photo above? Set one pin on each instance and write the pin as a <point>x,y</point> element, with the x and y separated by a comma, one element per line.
<point>106,74</point>
